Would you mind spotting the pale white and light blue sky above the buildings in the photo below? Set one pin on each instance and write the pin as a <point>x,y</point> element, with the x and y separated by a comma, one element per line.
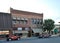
<point>49,8</point>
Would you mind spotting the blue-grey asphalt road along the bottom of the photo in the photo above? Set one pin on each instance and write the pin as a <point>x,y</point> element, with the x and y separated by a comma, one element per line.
<point>42,40</point>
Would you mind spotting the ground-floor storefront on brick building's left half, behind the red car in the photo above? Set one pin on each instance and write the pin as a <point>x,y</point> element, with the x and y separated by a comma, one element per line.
<point>21,32</point>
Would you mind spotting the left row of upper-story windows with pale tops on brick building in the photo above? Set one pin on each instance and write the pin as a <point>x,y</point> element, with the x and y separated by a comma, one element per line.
<point>19,20</point>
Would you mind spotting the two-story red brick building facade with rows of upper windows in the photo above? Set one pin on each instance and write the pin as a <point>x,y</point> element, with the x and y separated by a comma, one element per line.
<point>26,23</point>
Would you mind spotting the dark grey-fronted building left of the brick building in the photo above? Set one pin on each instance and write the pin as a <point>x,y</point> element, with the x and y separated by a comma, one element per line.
<point>5,24</point>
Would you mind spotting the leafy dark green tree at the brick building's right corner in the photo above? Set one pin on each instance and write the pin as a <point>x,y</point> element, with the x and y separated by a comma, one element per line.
<point>48,25</point>
